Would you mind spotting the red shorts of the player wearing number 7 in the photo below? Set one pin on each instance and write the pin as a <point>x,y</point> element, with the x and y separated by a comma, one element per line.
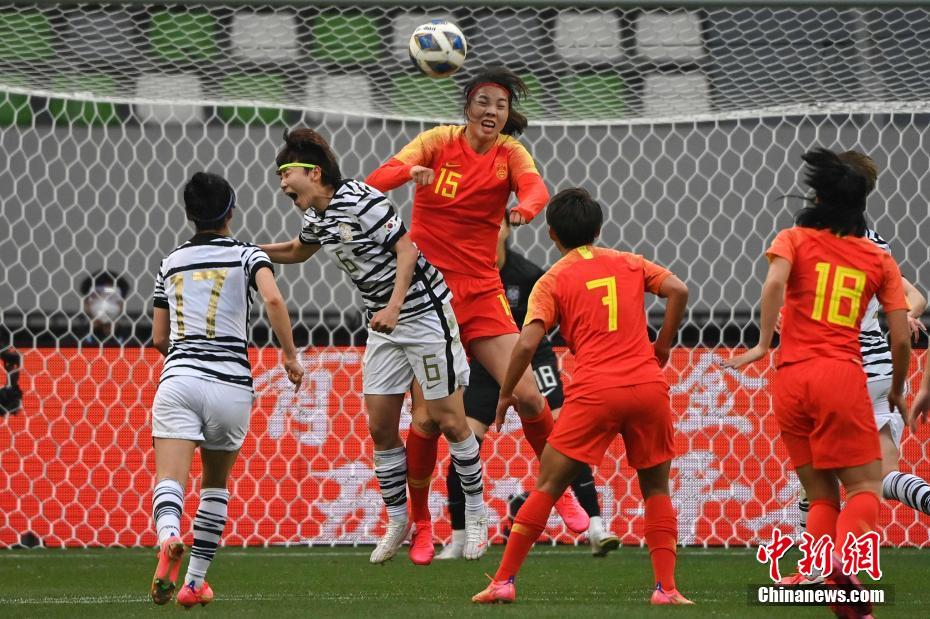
<point>641,414</point>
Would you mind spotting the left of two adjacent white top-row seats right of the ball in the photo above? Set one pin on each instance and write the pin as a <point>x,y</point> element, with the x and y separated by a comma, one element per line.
<point>588,37</point>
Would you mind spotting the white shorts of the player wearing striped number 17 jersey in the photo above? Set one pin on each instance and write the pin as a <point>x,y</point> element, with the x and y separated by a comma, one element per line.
<point>214,414</point>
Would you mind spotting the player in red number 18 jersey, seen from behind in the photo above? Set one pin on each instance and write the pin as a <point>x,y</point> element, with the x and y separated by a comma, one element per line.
<point>825,271</point>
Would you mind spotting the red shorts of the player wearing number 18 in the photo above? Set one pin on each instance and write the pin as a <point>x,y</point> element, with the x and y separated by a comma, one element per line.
<point>825,415</point>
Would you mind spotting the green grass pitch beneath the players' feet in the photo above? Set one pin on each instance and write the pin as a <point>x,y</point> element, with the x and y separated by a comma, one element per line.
<point>336,582</point>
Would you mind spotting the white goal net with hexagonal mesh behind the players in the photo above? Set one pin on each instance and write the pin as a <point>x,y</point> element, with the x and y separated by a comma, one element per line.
<point>687,124</point>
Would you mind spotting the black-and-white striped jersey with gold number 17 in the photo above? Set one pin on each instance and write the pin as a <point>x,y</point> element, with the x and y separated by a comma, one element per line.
<point>205,284</point>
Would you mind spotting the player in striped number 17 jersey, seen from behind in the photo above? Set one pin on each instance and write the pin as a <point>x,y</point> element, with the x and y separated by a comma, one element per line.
<point>200,324</point>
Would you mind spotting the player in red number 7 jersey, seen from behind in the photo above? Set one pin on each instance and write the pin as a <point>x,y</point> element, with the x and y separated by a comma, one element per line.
<point>596,296</point>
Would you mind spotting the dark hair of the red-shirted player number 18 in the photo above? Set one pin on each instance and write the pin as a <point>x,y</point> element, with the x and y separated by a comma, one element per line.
<point>839,194</point>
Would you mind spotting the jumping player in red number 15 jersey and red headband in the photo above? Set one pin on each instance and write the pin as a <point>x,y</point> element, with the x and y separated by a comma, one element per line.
<point>465,175</point>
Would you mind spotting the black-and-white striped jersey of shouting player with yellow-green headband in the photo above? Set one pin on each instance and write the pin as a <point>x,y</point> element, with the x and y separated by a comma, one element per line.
<point>358,230</point>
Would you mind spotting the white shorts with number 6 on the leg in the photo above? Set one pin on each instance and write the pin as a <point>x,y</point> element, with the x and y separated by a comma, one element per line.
<point>427,347</point>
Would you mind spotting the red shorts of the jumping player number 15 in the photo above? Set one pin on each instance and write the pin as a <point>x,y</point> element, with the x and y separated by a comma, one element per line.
<point>481,308</point>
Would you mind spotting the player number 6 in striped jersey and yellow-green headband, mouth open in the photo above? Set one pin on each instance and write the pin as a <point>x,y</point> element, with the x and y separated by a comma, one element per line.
<point>412,331</point>
